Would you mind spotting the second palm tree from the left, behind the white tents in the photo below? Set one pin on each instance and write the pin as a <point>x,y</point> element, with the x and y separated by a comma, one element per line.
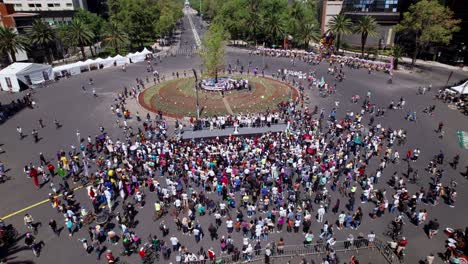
<point>43,35</point>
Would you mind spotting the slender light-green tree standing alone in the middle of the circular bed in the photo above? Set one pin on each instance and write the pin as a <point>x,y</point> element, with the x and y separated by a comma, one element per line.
<point>213,49</point>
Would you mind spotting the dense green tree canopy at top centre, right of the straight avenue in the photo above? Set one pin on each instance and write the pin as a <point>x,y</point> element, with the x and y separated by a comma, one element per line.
<point>268,21</point>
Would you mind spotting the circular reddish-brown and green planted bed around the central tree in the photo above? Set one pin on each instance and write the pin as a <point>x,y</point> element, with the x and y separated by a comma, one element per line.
<point>177,98</point>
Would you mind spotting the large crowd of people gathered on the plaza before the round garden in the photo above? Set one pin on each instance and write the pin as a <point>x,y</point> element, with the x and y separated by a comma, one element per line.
<point>244,196</point>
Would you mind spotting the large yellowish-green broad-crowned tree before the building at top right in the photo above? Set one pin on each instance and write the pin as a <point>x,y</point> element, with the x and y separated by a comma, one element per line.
<point>429,23</point>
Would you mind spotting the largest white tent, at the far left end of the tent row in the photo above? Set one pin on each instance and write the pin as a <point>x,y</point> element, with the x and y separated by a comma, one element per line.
<point>20,75</point>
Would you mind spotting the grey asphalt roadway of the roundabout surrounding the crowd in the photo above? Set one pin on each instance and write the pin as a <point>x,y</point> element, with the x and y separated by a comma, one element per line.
<point>79,110</point>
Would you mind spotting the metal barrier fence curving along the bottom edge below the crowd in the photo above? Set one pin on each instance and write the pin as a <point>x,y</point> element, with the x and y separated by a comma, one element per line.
<point>289,252</point>
